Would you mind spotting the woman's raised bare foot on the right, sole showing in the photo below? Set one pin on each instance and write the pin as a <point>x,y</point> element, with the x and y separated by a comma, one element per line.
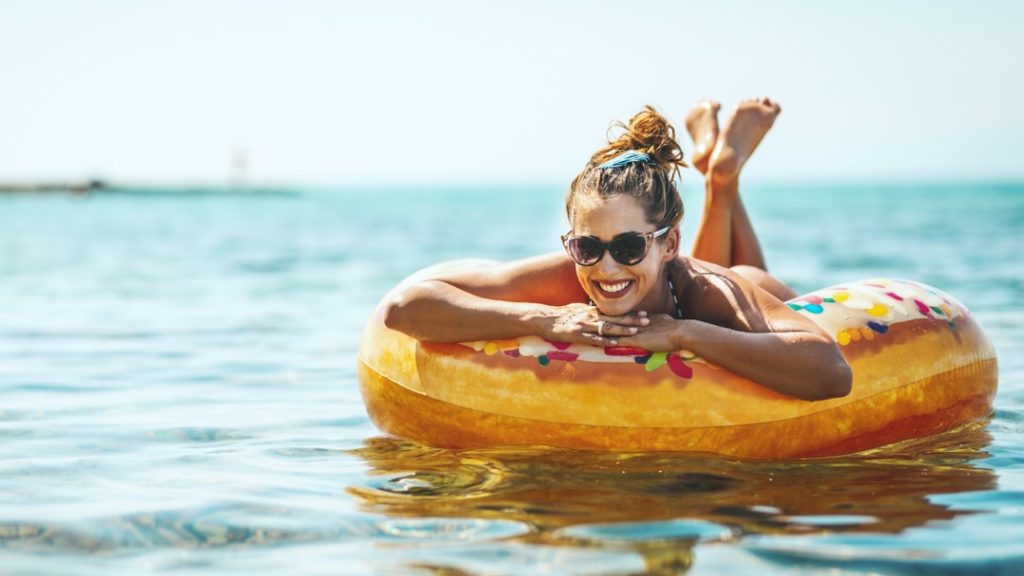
<point>749,124</point>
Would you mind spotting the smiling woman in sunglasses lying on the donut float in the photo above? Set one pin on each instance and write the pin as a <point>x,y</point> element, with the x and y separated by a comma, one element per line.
<point>622,280</point>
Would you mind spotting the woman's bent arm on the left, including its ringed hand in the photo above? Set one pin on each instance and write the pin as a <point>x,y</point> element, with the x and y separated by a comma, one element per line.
<point>535,297</point>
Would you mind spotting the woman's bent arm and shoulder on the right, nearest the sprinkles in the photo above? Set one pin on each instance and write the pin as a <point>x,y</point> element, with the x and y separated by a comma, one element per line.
<point>747,331</point>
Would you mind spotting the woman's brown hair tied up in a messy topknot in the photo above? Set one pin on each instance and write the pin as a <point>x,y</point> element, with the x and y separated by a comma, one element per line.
<point>652,182</point>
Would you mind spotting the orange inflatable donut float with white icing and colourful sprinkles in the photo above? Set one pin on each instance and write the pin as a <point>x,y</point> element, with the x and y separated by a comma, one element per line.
<point>921,365</point>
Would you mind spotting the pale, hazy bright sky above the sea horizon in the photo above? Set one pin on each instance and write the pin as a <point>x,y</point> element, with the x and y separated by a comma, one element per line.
<point>456,93</point>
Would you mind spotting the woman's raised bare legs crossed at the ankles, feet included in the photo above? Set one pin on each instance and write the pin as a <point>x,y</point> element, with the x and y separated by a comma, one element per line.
<point>726,235</point>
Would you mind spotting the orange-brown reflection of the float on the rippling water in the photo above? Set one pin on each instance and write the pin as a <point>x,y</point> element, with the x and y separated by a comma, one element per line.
<point>661,506</point>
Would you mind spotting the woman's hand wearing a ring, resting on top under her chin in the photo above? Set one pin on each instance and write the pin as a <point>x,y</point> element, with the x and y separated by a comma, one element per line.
<point>583,324</point>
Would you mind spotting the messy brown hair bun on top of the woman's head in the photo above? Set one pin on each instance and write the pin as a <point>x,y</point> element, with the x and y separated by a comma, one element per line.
<point>651,134</point>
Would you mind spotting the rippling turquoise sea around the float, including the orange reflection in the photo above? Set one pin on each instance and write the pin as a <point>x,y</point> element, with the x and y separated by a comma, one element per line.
<point>178,394</point>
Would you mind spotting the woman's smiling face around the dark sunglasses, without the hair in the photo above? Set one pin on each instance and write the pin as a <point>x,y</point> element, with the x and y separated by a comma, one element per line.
<point>618,290</point>
